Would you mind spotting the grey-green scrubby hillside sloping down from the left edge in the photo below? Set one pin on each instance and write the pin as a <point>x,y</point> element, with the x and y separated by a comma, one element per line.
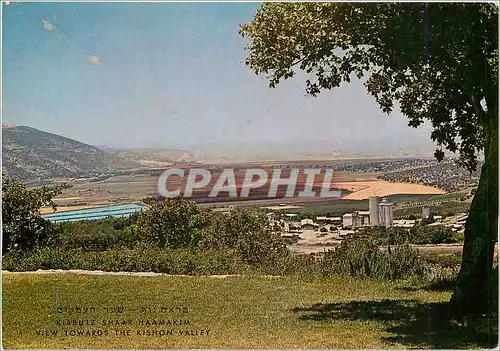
<point>30,154</point>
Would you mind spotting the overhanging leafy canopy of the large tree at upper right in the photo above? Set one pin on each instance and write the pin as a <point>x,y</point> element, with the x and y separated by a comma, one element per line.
<point>437,61</point>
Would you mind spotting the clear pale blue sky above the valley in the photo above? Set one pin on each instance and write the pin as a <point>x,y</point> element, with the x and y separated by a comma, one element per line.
<point>129,75</point>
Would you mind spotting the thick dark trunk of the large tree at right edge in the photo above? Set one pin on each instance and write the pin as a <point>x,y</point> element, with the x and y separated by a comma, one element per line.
<point>474,291</point>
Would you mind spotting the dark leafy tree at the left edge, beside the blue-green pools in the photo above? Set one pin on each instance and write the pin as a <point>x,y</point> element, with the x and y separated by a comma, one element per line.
<point>23,227</point>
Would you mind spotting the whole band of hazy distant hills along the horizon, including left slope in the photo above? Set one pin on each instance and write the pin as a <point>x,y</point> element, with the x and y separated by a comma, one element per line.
<point>30,154</point>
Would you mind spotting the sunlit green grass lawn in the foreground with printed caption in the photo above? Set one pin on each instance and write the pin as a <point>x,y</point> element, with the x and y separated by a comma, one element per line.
<point>238,312</point>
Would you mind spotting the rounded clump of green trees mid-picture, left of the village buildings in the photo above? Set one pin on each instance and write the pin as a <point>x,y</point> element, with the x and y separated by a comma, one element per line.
<point>180,224</point>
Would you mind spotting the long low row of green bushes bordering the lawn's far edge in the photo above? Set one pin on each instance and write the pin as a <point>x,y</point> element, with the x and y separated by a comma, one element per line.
<point>357,257</point>
